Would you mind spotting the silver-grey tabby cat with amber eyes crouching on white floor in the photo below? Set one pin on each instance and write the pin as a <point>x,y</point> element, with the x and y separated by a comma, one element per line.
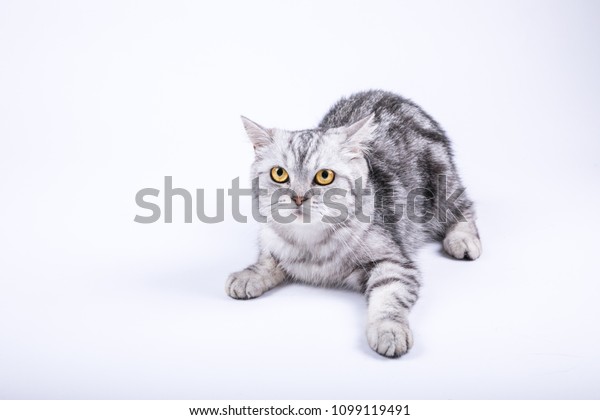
<point>388,148</point>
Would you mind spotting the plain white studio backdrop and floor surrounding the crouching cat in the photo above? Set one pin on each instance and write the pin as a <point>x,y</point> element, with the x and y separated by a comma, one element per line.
<point>101,99</point>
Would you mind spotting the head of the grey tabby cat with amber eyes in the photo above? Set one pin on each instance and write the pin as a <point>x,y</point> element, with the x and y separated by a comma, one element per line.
<point>309,178</point>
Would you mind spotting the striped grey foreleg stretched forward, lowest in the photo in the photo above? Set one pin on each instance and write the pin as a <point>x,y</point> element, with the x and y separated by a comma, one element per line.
<point>392,289</point>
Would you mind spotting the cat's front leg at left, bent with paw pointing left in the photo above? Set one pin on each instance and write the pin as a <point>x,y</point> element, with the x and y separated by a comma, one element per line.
<point>256,279</point>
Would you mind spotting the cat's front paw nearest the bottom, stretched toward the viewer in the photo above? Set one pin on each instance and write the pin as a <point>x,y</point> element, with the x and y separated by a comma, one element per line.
<point>389,338</point>
